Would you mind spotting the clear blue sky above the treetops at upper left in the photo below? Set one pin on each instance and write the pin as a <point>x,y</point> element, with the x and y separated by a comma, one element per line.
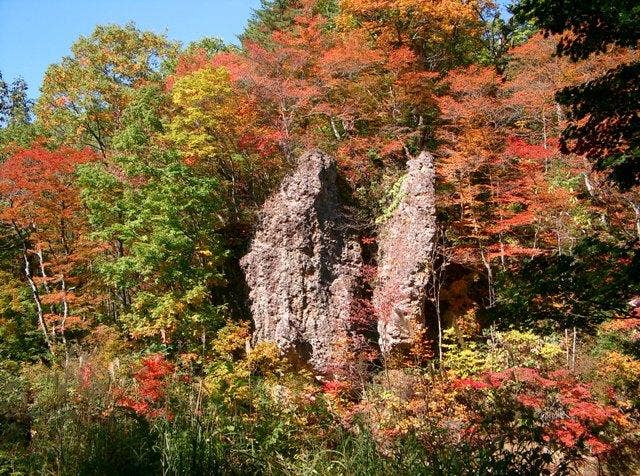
<point>36,33</point>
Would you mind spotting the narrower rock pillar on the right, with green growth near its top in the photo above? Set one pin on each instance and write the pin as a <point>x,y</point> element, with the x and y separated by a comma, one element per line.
<point>406,242</point>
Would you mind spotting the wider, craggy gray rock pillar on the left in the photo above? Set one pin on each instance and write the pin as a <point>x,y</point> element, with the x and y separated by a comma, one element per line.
<point>303,268</point>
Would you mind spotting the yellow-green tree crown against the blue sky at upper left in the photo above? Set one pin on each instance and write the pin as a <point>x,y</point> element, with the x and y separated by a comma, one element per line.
<point>84,96</point>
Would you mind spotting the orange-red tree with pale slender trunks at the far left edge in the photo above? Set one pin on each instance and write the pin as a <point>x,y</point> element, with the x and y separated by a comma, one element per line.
<point>41,206</point>
